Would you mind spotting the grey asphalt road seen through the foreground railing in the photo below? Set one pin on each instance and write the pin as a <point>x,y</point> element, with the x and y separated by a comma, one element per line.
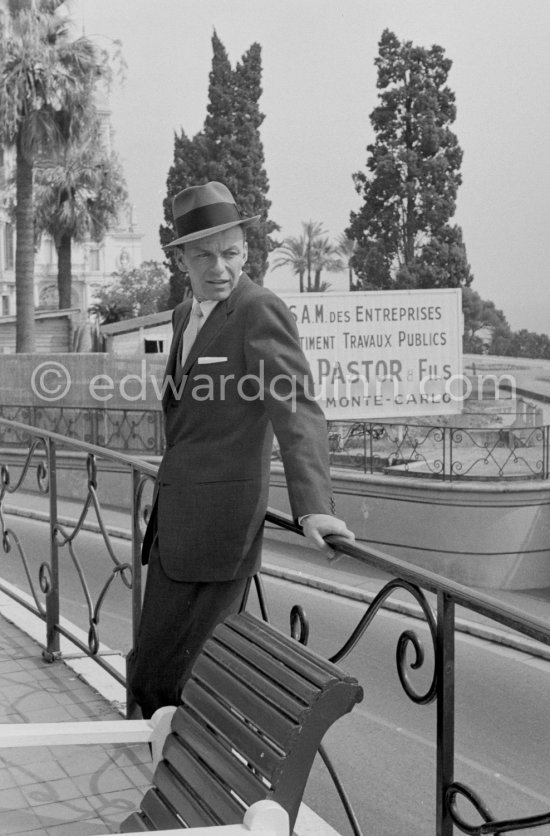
<point>385,749</point>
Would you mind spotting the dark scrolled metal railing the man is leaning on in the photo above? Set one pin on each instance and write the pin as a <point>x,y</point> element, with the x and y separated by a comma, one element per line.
<point>39,461</point>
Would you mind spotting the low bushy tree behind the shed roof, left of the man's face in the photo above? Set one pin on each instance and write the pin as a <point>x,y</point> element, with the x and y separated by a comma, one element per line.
<point>137,292</point>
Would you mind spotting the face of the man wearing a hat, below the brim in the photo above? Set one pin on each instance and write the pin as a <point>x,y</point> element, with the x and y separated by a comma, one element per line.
<point>214,263</point>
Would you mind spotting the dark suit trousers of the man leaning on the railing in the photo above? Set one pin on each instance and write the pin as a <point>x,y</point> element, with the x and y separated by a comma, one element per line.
<point>177,618</point>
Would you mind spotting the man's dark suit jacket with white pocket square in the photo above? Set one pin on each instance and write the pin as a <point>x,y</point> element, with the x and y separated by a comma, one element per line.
<point>212,488</point>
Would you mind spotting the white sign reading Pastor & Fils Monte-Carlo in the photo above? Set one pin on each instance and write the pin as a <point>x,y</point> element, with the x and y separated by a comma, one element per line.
<point>383,354</point>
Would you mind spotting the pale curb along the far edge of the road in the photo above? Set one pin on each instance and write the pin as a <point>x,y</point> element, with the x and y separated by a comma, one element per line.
<point>481,631</point>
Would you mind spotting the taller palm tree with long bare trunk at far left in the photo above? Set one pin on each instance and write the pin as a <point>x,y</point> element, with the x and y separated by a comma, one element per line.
<point>45,81</point>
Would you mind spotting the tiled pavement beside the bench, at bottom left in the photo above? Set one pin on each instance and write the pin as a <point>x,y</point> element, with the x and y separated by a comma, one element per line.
<point>67,790</point>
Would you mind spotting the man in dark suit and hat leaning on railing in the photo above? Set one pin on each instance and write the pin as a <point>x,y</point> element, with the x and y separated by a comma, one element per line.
<point>235,375</point>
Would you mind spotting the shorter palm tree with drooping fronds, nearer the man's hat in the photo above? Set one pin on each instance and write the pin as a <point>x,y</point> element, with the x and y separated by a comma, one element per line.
<point>78,195</point>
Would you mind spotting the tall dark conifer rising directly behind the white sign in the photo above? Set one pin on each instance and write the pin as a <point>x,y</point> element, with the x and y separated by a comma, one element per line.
<point>402,230</point>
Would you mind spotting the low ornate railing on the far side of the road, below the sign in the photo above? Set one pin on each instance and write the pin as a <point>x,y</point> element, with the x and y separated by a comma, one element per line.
<point>421,450</point>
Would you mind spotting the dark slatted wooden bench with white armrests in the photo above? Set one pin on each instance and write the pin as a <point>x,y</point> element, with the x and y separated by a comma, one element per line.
<point>251,718</point>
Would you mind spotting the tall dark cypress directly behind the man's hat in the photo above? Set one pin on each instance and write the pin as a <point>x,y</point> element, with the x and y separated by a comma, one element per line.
<point>228,149</point>
